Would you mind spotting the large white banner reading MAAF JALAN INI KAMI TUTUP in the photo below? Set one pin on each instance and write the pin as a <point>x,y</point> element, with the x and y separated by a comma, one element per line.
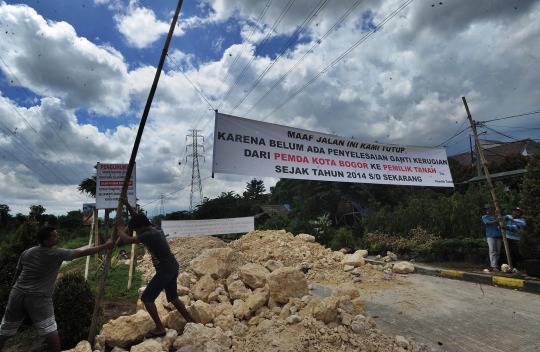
<point>247,147</point>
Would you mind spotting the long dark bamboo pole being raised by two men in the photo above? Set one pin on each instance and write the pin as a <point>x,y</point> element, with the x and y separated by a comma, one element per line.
<point>129,171</point>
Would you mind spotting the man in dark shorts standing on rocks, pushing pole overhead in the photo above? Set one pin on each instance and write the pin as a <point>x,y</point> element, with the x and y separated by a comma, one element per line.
<point>166,268</point>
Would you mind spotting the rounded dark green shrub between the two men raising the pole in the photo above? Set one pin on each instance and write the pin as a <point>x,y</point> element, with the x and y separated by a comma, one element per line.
<point>74,302</point>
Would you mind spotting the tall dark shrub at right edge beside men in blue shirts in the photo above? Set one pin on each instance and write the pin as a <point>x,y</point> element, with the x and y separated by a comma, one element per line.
<point>530,203</point>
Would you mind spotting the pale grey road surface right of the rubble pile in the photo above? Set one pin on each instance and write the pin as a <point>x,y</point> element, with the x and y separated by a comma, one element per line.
<point>452,315</point>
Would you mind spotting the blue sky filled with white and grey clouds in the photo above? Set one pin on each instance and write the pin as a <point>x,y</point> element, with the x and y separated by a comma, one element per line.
<point>75,75</point>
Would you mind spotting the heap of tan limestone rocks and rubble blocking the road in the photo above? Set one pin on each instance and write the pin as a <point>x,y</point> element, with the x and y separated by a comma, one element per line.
<point>253,295</point>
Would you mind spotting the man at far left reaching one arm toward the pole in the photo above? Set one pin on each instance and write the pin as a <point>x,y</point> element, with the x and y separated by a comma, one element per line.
<point>33,286</point>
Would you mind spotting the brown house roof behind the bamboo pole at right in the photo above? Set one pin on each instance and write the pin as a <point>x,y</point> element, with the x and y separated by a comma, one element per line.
<point>495,150</point>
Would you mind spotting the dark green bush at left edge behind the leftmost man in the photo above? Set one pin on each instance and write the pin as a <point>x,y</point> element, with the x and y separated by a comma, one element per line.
<point>24,238</point>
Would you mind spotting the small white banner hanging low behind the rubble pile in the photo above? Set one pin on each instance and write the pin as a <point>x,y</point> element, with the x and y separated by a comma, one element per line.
<point>179,228</point>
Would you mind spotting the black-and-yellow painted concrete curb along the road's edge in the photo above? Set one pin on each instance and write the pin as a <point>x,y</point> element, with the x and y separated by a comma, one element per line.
<point>519,284</point>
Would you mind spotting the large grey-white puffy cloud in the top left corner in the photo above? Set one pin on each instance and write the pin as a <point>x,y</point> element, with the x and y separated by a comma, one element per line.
<point>51,60</point>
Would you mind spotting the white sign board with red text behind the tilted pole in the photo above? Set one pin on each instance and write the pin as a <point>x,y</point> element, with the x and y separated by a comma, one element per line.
<point>109,181</point>
